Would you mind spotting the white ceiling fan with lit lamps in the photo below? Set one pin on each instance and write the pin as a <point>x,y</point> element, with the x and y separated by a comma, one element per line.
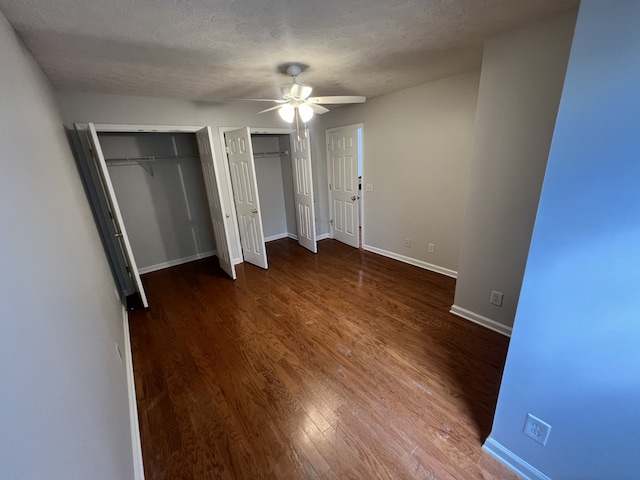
<point>296,102</point>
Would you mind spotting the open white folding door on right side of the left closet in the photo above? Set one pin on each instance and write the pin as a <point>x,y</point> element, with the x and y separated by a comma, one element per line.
<point>219,218</point>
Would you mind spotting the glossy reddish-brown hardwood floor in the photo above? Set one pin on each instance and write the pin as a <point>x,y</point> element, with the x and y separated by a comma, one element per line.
<point>340,365</point>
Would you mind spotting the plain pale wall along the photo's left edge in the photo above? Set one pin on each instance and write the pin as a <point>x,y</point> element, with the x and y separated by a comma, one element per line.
<point>64,408</point>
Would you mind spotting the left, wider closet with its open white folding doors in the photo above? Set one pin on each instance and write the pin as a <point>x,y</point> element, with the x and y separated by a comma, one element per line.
<point>157,199</point>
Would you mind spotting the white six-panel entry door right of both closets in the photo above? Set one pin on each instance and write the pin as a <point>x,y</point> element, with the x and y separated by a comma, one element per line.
<point>342,156</point>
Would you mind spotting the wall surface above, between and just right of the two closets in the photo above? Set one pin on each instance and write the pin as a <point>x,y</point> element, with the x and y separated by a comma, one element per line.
<point>99,108</point>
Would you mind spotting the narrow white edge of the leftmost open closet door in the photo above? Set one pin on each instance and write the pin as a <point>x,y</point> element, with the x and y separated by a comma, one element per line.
<point>121,234</point>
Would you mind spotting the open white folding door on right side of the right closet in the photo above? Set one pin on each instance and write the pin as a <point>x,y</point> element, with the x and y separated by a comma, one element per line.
<point>303,193</point>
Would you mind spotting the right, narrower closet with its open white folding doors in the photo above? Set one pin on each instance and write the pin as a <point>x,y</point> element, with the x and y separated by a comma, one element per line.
<point>271,180</point>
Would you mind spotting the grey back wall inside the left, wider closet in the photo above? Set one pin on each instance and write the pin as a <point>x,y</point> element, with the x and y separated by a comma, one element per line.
<point>165,209</point>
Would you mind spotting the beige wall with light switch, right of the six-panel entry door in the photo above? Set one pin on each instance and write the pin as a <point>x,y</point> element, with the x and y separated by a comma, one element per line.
<point>417,153</point>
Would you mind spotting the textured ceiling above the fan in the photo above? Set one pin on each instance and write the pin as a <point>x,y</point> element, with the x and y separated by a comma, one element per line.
<point>216,50</point>
